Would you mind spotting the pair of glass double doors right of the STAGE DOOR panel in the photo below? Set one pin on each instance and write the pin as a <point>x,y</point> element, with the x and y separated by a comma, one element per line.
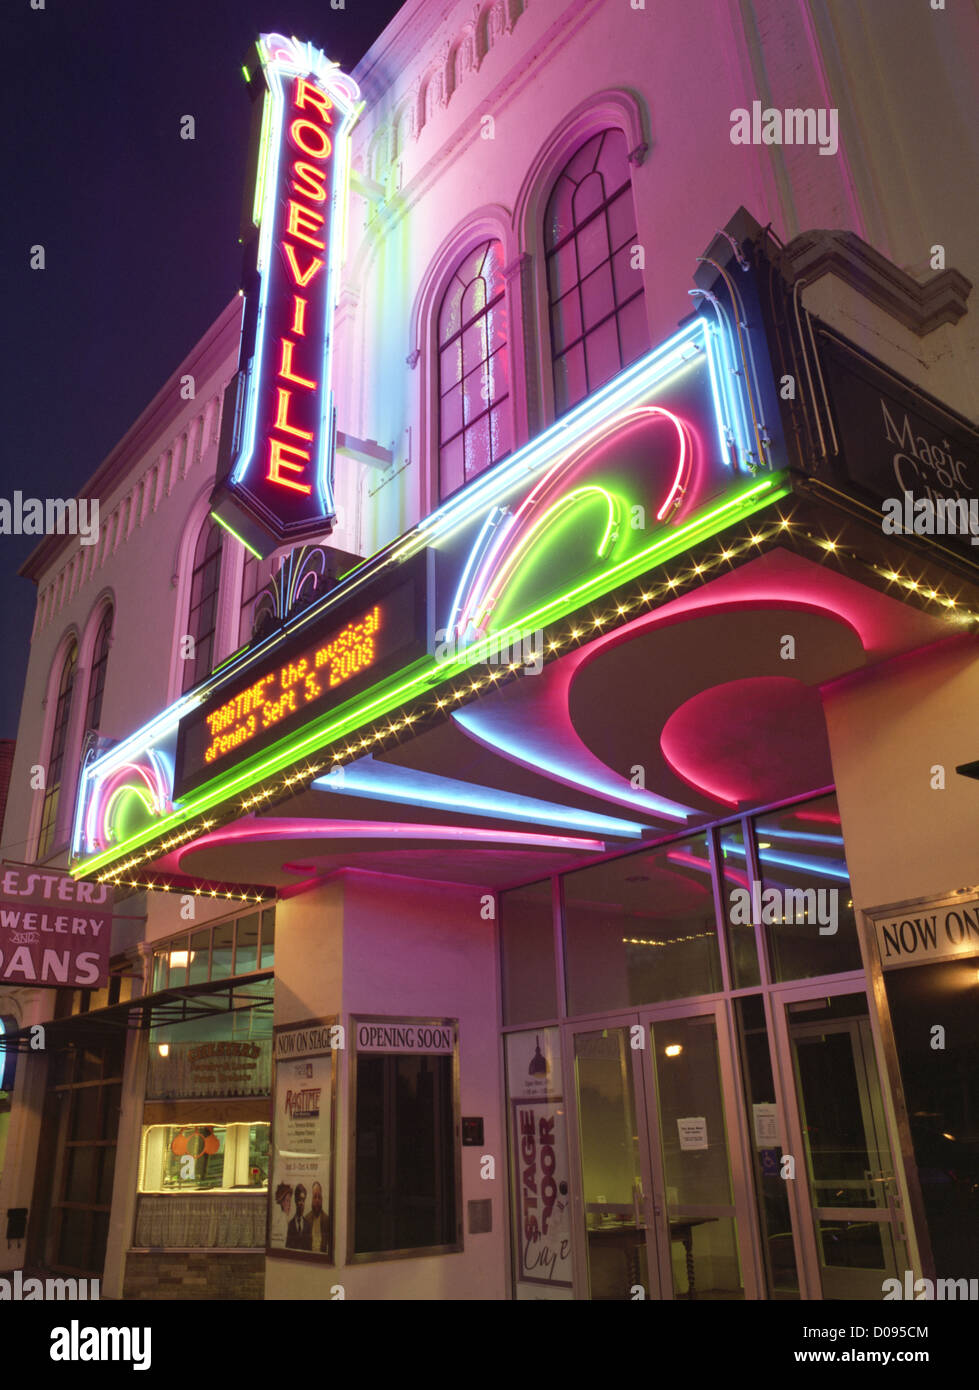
<point>661,1213</point>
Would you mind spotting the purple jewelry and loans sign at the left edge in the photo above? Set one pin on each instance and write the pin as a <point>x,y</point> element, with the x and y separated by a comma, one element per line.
<point>55,931</point>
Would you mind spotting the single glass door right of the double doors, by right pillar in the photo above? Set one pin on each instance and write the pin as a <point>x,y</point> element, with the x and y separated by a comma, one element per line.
<point>843,1156</point>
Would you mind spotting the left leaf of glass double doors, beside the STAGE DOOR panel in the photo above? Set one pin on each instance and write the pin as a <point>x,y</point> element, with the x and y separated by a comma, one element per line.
<point>618,1259</point>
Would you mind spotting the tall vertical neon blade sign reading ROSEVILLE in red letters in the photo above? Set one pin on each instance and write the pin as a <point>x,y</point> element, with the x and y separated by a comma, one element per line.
<point>277,450</point>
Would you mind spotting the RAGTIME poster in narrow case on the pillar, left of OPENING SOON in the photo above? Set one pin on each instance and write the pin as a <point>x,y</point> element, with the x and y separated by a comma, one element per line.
<point>301,1203</point>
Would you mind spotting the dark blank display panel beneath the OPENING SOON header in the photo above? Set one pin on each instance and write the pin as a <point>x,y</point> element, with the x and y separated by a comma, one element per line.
<point>407,1160</point>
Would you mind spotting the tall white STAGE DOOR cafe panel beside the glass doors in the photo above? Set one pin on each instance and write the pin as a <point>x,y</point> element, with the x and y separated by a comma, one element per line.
<point>542,1178</point>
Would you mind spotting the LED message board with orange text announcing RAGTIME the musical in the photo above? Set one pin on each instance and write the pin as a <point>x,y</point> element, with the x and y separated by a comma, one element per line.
<point>323,667</point>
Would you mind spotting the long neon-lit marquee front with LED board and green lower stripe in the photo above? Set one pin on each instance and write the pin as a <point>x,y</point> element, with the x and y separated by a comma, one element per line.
<point>667,455</point>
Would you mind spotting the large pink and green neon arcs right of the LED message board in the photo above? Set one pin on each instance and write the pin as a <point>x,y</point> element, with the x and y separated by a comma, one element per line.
<point>505,537</point>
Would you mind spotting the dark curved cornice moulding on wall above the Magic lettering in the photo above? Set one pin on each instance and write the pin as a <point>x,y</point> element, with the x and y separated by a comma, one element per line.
<point>923,306</point>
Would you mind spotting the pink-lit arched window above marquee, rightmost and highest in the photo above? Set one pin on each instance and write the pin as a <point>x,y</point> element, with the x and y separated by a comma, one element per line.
<point>596,298</point>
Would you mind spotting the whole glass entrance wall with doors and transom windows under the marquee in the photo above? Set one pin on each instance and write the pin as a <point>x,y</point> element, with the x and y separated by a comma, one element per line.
<point>721,1100</point>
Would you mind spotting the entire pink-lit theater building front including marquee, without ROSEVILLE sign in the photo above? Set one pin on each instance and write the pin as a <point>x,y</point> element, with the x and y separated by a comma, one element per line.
<point>589,933</point>
